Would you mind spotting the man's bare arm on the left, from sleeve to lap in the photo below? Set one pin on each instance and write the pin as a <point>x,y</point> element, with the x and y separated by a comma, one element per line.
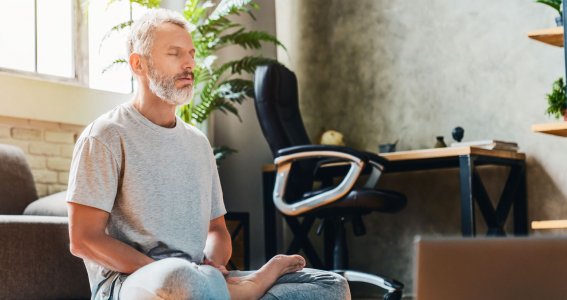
<point>89,241</point>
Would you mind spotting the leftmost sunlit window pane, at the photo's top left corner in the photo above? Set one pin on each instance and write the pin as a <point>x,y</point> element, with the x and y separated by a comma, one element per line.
<point>17,36</point>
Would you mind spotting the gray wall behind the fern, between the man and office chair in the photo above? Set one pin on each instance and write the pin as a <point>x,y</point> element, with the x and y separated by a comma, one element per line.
<point>241,173</point>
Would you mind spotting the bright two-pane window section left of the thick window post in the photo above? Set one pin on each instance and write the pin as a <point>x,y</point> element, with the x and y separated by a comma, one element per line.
<point>43,42</point>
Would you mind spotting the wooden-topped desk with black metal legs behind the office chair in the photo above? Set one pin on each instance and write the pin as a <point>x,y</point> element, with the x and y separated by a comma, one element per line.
<point>471,187</point>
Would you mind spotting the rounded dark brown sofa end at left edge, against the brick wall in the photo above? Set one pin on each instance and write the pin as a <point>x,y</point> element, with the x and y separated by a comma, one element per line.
<point>17,188</point>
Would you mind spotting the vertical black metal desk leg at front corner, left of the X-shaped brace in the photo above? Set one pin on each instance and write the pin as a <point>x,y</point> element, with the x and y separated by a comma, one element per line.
<point>466,166</point>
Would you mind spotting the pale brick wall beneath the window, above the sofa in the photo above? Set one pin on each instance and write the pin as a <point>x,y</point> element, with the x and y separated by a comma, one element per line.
<point>48,147</point>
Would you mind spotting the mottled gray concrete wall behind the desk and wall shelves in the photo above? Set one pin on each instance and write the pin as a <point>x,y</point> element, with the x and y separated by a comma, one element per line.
<point>380,71</point>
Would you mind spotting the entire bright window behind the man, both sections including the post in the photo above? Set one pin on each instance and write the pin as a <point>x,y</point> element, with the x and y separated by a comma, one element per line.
<point>62,39</point>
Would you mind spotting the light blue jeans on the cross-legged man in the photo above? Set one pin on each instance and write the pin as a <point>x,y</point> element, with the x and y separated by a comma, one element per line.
<point>179,279</point>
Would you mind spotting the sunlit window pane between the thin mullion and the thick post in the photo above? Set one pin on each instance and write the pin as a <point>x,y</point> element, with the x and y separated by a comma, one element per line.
<point>55,37</point>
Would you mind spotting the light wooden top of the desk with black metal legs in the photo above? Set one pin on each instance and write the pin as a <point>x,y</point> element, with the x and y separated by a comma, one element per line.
<point>450,152</point>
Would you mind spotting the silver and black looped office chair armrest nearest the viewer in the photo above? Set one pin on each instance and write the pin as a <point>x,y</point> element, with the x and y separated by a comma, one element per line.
<point>287,156</point>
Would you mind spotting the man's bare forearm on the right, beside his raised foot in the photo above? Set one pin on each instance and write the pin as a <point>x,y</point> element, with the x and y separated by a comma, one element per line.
<point>218,248</point>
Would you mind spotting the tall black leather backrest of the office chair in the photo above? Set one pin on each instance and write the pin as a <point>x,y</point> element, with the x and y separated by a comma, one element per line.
<point>277,107</point>
